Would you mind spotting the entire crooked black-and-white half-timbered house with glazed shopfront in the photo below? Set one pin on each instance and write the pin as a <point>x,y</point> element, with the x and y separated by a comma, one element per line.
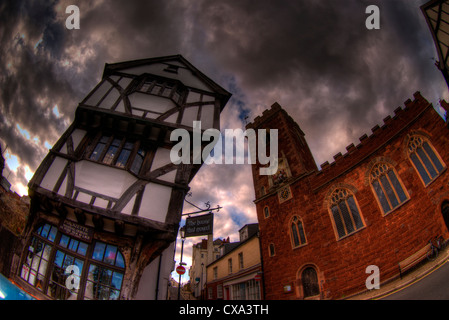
<point>106,201</point>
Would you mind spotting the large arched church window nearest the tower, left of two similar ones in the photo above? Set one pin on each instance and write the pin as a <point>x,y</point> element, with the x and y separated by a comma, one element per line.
<point>345,212</point>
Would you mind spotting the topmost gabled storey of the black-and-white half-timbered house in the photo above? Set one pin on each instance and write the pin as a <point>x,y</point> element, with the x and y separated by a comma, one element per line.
<point>166,89</point>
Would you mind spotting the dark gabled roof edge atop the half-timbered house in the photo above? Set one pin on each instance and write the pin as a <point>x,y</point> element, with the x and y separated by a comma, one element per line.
<point>177,60</point>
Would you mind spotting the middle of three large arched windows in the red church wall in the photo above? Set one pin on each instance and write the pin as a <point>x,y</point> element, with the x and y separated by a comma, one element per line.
<point>388,189</point>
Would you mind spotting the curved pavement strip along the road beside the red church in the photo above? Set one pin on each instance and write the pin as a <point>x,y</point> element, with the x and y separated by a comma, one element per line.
<point>409,278</point>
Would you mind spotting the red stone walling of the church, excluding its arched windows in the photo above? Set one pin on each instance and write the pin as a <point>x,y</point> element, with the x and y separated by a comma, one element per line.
<point>384,240</point>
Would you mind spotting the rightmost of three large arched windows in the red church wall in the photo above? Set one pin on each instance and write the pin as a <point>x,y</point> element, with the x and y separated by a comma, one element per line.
<point>424,158</point>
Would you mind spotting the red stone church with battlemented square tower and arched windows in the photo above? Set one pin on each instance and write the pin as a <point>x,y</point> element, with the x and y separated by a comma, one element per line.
<point>377,204</point>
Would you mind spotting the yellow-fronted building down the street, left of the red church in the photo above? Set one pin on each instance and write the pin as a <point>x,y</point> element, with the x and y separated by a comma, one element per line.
<point>237,273</point>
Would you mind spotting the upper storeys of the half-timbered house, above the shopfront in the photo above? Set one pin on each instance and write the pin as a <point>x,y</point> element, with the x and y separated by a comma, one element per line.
<point>114,162</point>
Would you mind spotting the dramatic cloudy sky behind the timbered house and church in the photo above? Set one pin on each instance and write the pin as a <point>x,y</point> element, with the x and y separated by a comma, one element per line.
<point>316,58</point>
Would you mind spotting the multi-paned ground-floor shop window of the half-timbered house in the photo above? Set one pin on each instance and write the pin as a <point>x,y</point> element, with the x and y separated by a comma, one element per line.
<point>63,267</point>
